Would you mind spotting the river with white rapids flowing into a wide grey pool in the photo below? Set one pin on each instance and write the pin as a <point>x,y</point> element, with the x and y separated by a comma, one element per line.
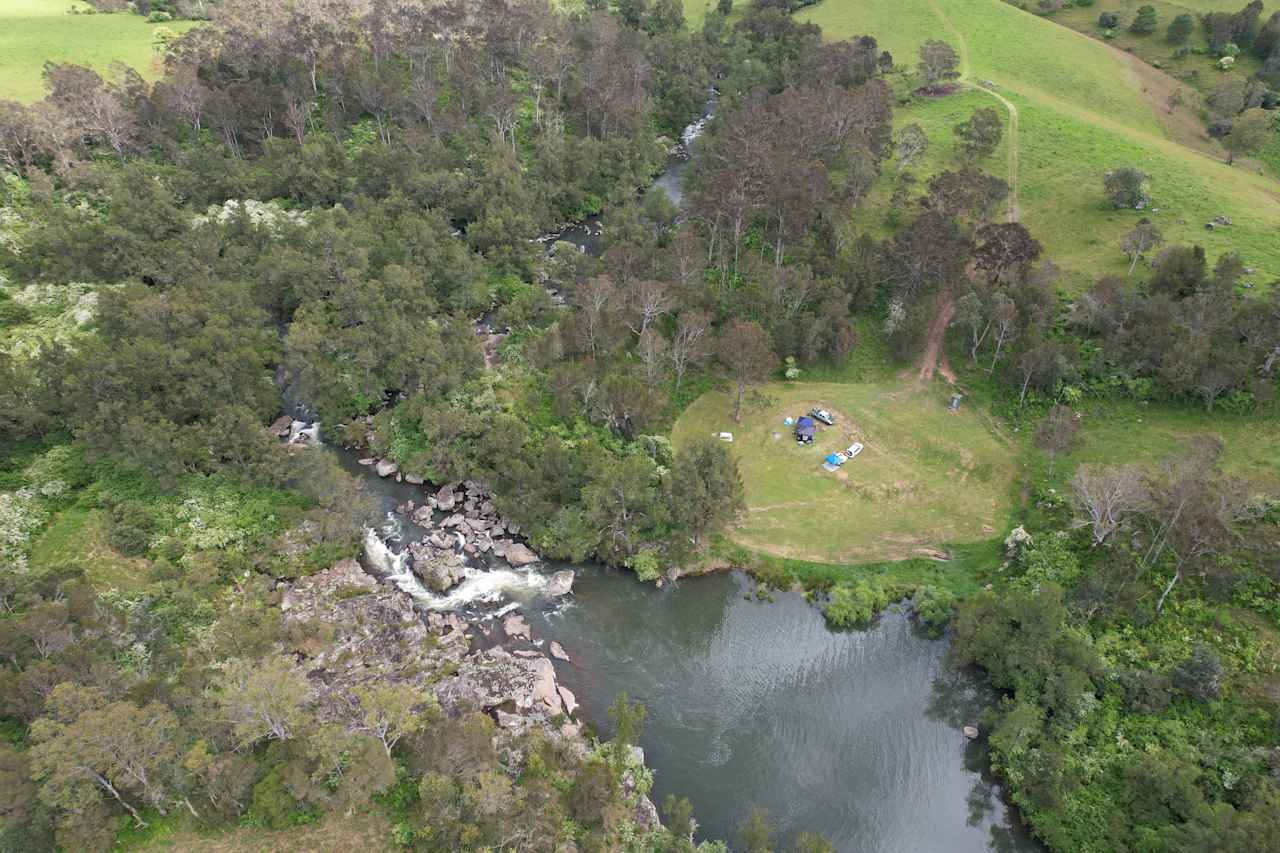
<point>857,736</point>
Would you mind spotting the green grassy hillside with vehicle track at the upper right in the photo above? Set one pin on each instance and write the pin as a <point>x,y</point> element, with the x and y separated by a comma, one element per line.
<point>1082,112</point>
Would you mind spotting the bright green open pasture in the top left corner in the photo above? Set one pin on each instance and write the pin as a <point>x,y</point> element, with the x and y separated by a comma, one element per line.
<point>38,31</point>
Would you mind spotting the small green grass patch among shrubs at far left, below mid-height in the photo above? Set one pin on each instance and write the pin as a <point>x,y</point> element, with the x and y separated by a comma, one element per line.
<point>81,537</point>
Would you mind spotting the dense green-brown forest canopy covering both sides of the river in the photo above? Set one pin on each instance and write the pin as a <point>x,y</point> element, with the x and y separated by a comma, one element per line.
<point>356,200</point>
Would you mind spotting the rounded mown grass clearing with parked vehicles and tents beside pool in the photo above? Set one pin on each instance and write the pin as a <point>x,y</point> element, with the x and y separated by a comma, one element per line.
<point>925,481</point>
